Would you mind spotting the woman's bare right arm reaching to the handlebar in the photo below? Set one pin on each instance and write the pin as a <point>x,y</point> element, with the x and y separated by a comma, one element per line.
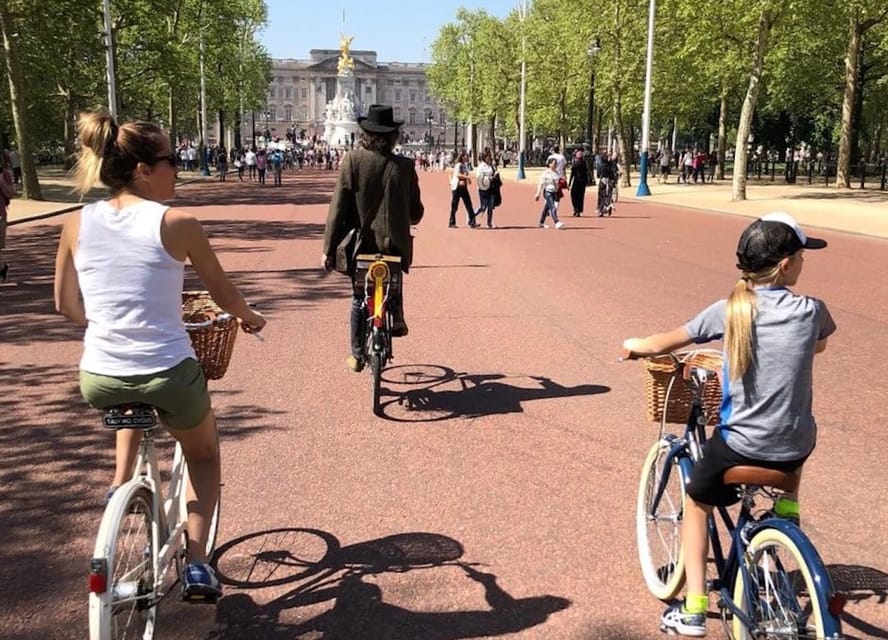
<point>183,236</point>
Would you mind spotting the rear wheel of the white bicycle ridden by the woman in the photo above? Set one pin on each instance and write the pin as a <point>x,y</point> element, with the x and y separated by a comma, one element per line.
<point>128,607</point>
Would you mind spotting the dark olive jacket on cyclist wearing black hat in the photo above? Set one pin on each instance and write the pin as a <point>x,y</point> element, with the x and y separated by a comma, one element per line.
<point>360,193</point>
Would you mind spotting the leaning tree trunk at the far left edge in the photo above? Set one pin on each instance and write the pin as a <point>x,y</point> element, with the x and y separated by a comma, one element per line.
<point>18,102</point>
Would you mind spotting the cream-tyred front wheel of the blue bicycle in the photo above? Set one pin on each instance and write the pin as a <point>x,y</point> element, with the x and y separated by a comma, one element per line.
<point>661,556</point>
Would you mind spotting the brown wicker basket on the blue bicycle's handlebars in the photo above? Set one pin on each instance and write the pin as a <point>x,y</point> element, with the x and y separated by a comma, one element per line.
<point>662,371</point>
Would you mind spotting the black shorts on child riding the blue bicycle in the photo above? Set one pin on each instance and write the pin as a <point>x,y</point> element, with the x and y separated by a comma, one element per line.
<point>707,486</point>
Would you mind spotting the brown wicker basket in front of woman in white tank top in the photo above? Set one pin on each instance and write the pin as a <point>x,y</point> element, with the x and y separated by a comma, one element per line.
<point>214,344</point>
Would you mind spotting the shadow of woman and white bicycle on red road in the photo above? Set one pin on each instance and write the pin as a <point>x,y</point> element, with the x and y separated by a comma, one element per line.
<point>344,577</point>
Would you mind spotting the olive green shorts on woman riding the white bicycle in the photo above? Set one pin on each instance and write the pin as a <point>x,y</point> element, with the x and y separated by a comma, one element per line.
<point>179,394</point>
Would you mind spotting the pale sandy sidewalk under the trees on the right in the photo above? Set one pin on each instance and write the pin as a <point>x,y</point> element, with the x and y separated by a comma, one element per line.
<point>863,212</point>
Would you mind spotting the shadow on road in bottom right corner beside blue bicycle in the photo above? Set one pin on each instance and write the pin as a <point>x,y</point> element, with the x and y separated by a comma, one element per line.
<point>860,584</point>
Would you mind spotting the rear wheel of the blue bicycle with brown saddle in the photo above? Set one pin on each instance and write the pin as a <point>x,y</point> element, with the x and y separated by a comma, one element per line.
<point>772,614</point>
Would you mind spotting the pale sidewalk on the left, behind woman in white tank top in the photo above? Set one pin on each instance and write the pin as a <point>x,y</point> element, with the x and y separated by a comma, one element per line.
<point>56,188</point>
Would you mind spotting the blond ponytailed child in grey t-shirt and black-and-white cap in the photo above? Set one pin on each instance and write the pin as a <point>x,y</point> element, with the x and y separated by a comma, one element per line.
<point>770,338</point>
